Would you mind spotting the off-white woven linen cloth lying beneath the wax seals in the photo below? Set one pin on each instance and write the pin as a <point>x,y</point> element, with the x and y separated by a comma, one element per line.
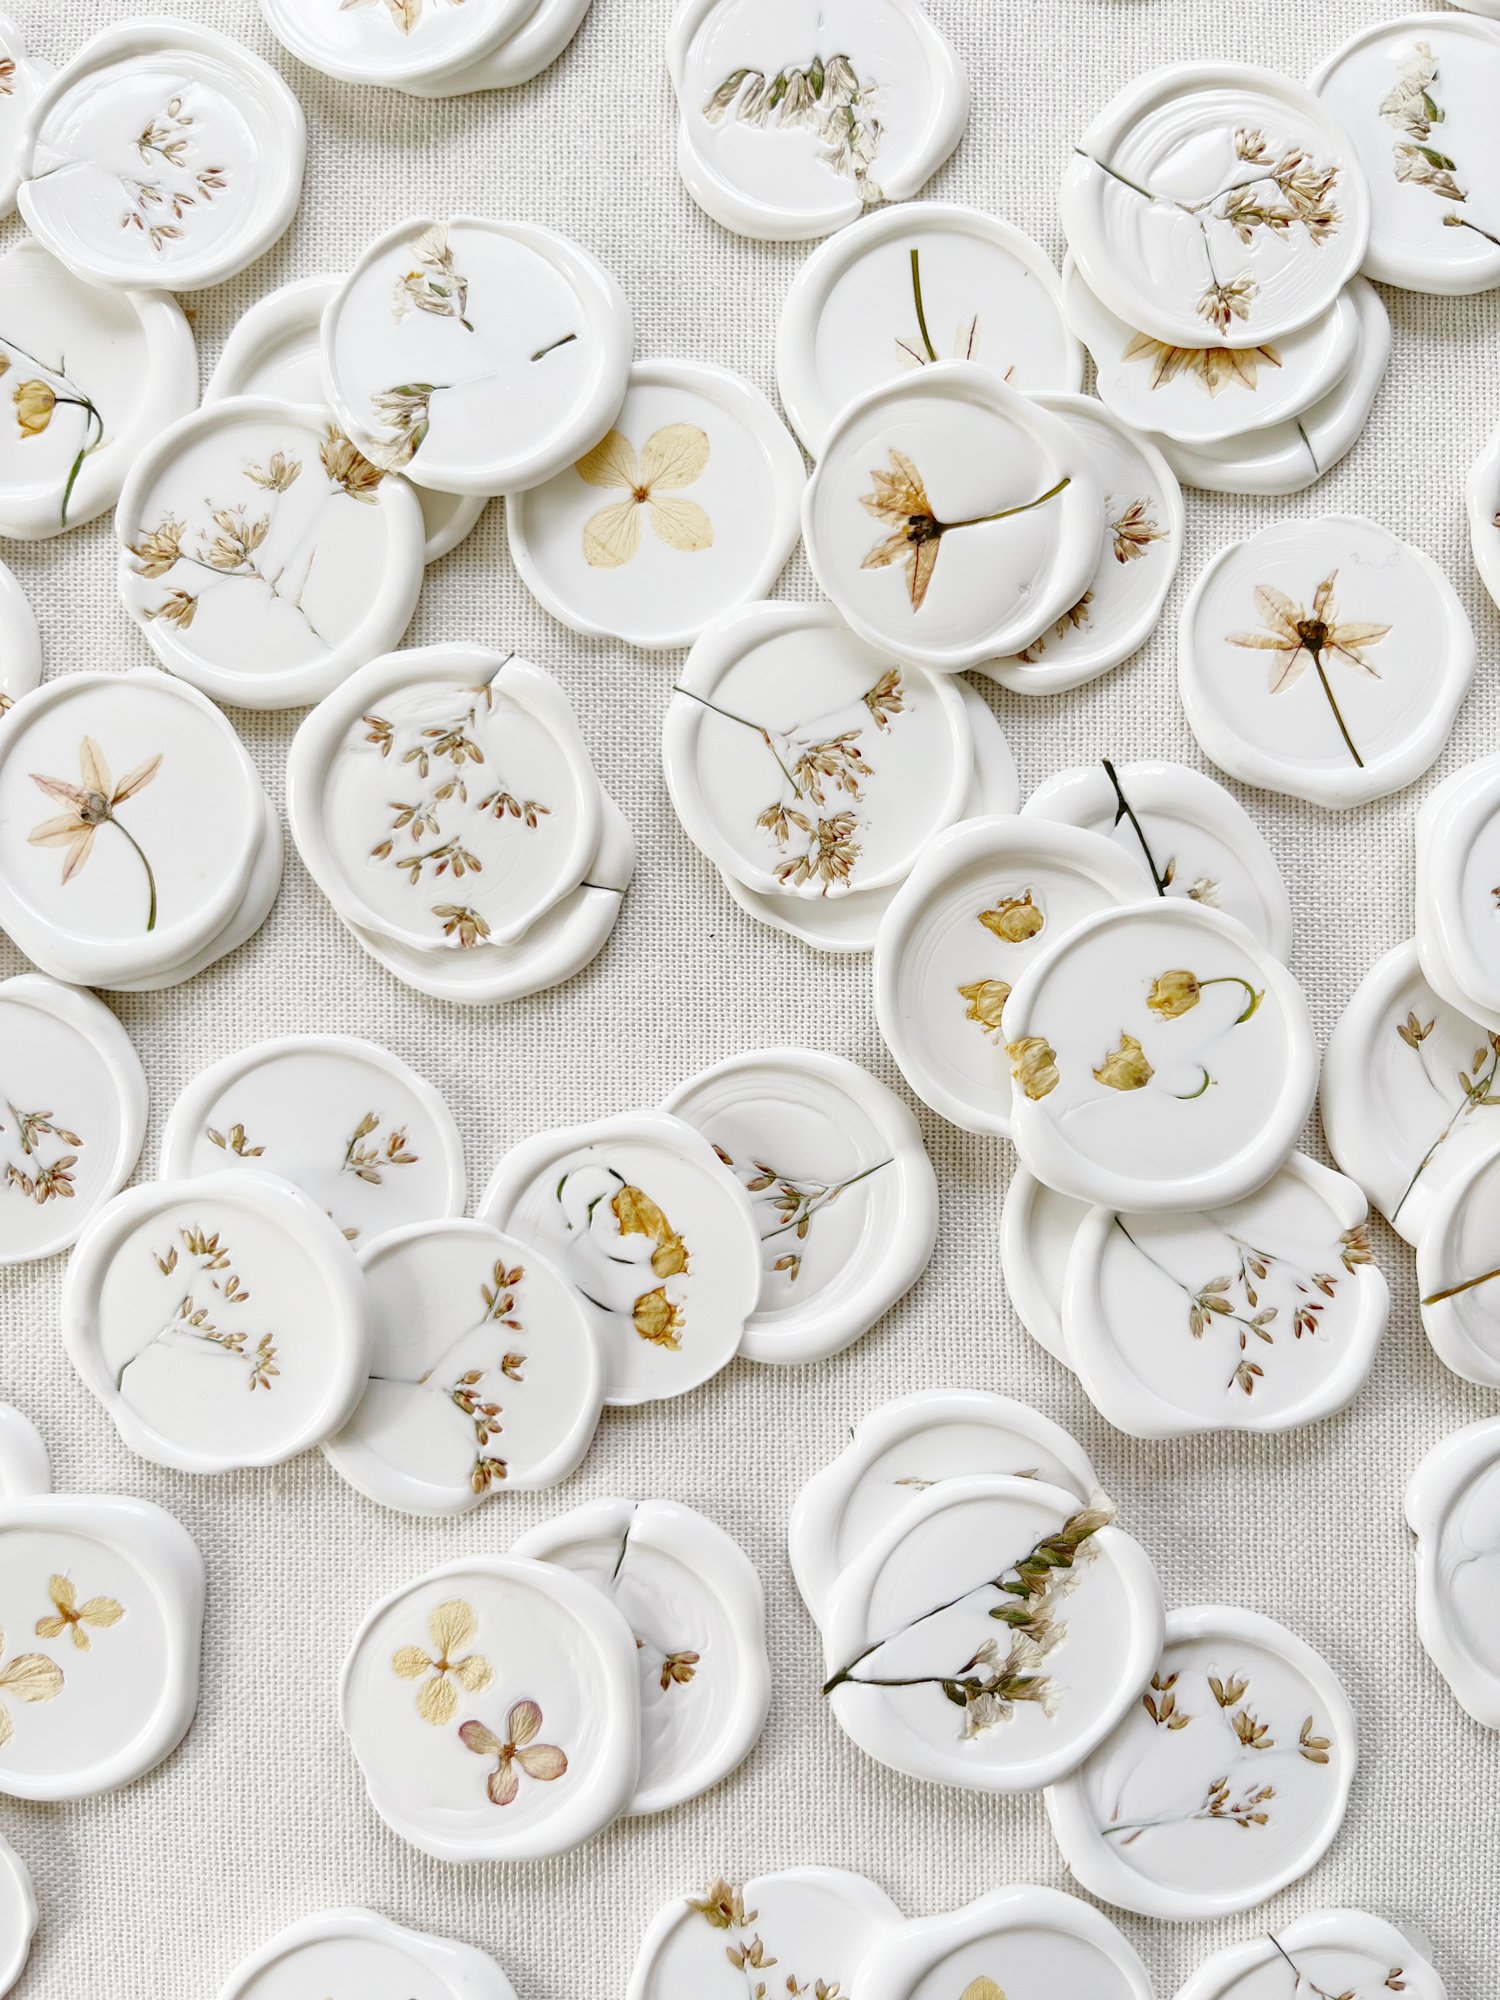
<point>261,1817</point>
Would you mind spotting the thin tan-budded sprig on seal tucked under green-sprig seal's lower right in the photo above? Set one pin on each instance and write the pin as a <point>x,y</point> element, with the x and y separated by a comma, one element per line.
<point>1241,1795</point>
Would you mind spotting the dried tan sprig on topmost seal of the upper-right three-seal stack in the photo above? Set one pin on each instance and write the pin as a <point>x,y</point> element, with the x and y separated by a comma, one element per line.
<point>1271,193</point>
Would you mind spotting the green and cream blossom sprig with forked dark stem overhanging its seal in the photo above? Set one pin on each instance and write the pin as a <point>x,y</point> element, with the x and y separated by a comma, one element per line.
<point>1003,1675</point>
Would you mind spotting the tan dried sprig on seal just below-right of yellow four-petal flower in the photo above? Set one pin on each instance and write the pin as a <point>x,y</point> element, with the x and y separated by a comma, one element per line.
<point>819,769</point>
